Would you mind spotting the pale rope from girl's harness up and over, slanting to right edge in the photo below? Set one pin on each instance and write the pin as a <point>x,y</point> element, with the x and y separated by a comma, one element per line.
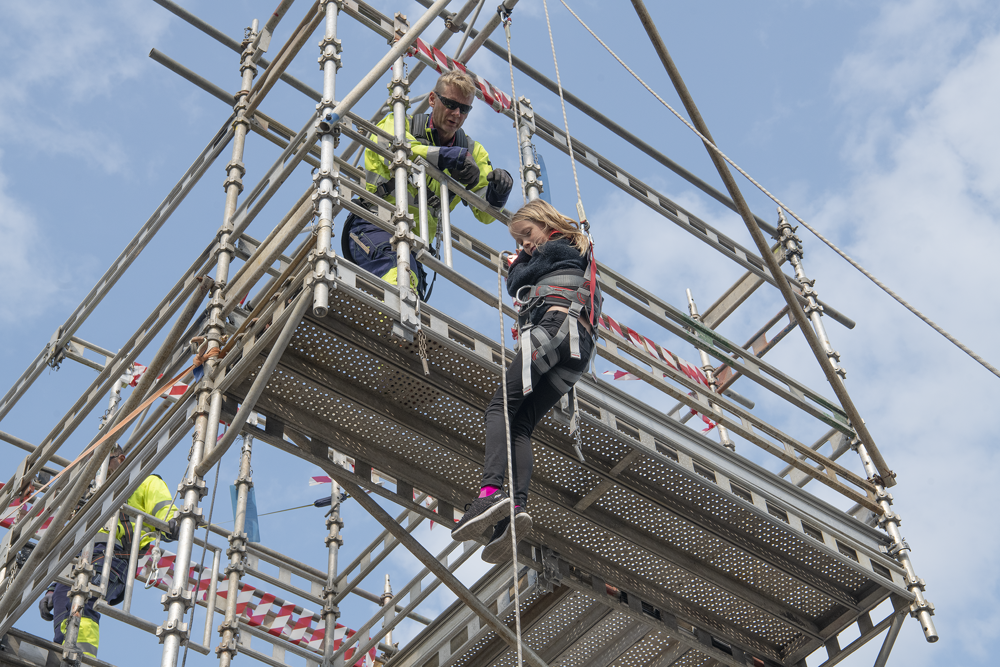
<point>712,147</point>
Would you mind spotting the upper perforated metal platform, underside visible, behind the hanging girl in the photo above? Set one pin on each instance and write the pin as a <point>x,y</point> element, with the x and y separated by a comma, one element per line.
<point>665,529</point>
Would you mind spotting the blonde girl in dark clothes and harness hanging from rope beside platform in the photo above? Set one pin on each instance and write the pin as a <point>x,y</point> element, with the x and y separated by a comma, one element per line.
<point>553,278</point>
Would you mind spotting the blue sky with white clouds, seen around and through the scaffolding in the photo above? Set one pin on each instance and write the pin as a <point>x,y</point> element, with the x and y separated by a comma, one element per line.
<point>872,121</point>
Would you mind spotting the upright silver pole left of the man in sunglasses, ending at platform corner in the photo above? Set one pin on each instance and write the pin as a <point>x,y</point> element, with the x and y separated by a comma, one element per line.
<point>327,178</point>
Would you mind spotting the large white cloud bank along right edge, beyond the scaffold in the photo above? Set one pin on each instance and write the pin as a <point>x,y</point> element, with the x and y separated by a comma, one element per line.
<point>921,213</point>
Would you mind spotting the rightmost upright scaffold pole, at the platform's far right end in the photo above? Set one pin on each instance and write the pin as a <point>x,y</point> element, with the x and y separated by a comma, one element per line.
<point>889,521</point>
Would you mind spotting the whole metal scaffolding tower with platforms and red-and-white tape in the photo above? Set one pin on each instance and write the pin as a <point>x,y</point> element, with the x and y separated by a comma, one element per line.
<point>654,543</point>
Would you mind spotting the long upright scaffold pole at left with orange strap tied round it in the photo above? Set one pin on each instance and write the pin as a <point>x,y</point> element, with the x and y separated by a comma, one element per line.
<point>174,631</point>
